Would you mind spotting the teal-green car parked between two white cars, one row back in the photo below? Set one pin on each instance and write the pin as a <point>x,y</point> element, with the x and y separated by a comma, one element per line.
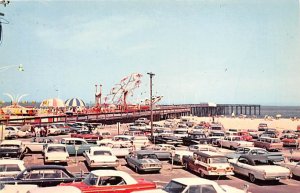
<point>76,146</point>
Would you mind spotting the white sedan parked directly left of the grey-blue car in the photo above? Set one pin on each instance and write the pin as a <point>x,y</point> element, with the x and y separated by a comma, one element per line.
<point>98,157</point>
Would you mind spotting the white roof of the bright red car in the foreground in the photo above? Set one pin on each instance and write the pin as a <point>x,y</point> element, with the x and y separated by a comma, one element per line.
<point>129,180</point>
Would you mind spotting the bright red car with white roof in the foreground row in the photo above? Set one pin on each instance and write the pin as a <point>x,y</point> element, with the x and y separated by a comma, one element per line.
<point>105,181</point>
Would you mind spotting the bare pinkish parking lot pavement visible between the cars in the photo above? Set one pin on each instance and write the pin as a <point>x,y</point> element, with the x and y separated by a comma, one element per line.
<point>77,164</point>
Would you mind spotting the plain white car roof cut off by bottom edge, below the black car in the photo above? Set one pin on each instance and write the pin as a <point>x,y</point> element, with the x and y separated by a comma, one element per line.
<point>56,189</point>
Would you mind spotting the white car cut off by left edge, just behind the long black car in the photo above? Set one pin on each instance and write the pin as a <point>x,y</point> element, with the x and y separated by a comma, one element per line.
<point>10,168</point>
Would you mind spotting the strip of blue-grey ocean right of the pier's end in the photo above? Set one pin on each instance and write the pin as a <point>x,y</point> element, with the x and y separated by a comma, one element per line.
<point>285,111</point>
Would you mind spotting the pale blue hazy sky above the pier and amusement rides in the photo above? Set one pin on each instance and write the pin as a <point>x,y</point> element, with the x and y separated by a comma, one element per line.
<point>221,51</point>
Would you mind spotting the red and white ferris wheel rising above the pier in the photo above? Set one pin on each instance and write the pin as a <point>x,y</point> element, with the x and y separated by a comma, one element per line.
<point>119,94</point>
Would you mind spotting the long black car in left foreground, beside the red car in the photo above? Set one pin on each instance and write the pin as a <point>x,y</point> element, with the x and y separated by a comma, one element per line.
<point>43,176</point>
